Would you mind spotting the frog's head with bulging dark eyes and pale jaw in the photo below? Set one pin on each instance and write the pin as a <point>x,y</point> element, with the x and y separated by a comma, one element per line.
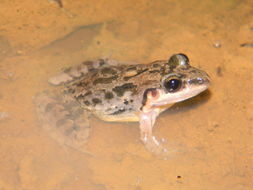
<point>182,81</point>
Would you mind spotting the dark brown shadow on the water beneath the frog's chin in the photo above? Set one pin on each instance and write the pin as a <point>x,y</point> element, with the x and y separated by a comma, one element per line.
<point>189,104</point>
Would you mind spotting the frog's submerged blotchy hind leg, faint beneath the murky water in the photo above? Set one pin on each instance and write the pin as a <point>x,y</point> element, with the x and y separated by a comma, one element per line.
<point>64,120</point>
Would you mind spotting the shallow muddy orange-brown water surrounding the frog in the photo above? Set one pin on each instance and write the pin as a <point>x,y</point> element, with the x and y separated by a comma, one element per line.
<point>209,137</point>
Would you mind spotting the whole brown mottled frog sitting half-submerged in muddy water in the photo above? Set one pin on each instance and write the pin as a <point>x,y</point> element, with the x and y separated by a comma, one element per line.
<point>117,91</point>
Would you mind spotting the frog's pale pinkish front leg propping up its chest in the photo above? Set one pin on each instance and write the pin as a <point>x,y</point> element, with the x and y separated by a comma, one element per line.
<point>147,118</point>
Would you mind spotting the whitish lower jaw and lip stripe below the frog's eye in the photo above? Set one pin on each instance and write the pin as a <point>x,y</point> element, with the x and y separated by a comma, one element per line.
<point>169,98</point>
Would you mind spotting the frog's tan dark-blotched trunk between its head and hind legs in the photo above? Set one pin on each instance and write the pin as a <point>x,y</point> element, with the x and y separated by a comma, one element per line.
<point>114,92</point>
